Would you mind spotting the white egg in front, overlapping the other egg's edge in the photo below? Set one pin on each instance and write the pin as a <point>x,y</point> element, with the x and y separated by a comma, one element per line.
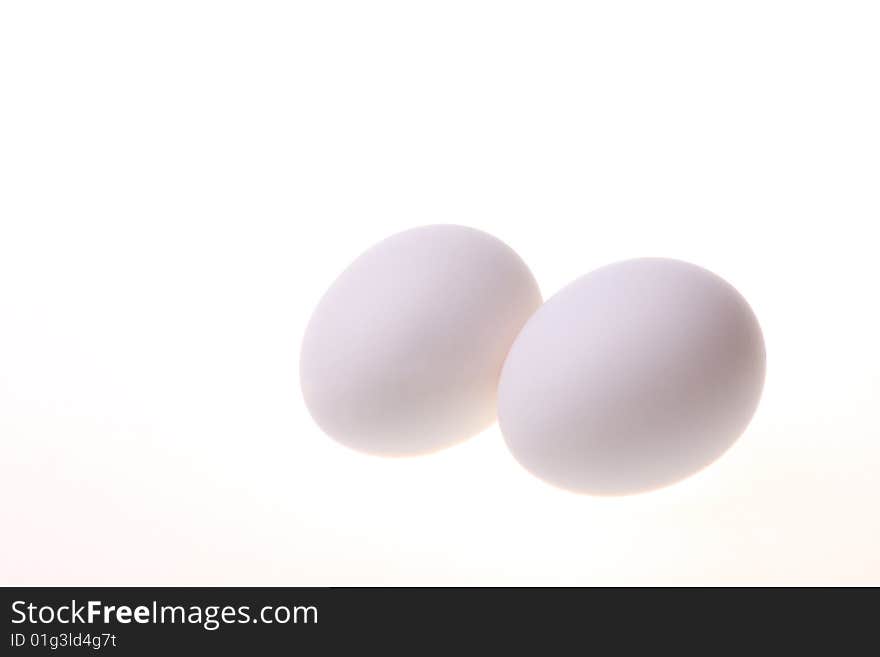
<point>631,378</point>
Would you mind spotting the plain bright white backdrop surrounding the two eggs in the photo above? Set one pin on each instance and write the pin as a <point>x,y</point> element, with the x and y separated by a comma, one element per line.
<point>181,181</point>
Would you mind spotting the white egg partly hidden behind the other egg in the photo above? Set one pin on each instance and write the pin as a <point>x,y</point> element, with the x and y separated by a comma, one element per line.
<point>403,353</point>
